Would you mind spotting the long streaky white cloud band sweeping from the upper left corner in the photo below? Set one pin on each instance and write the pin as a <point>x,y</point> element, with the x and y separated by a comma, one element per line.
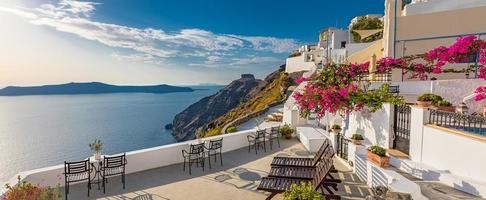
<point>73,17</point>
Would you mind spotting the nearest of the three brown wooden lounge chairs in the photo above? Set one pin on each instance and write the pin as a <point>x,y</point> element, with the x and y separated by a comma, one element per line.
<point>276,185</point>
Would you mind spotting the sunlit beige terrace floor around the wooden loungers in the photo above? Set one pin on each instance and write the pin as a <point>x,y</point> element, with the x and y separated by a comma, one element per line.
<point>238,179</point>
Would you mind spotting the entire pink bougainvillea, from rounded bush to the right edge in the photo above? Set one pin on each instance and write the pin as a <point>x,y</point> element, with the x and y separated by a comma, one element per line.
<point>338,89</point>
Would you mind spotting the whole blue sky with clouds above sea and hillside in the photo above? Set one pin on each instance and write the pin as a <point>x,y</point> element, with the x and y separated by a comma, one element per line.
<point>145,42</point>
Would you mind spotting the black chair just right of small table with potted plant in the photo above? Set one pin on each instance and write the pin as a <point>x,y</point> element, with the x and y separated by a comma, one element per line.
<point>113,166</point>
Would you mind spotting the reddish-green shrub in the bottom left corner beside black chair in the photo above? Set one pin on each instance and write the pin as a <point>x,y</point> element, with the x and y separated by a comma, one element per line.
<point>24,190</point>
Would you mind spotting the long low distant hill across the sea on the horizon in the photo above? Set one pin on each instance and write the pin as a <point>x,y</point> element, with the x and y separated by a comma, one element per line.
<point>89,88</point>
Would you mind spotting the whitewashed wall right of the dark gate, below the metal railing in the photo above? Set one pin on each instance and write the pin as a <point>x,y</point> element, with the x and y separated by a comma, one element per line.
<point>439,154</point>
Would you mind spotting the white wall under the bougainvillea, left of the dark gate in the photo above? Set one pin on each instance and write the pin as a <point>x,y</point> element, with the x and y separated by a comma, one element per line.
<point>375,127</point>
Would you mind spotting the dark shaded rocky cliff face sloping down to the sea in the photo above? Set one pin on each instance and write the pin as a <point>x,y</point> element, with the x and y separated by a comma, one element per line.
<point>209,108</point>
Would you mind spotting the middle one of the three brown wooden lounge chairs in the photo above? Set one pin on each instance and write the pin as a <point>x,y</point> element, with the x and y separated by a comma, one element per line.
<point>304,172</point>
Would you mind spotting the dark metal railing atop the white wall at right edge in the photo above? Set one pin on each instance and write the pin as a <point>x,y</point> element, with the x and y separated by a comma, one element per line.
<point>464,122</point>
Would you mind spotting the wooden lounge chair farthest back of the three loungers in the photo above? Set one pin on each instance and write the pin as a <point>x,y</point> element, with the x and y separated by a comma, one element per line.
<point>302,162</point>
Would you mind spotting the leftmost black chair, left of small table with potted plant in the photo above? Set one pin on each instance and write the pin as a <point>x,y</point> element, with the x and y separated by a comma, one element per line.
<point>76,172</point>
